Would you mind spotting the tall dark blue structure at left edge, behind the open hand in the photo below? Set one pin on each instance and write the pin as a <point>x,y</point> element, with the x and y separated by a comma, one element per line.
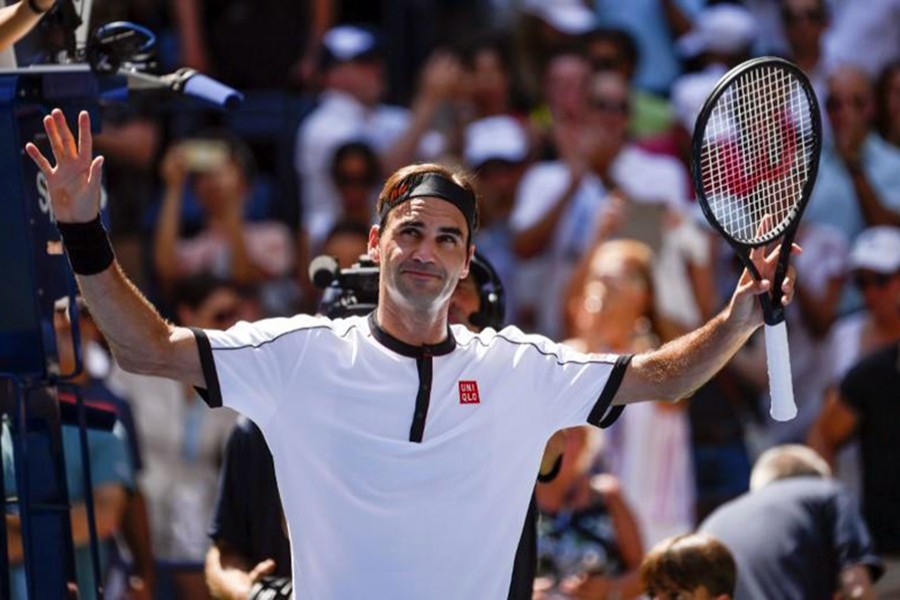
<point>34,277</point>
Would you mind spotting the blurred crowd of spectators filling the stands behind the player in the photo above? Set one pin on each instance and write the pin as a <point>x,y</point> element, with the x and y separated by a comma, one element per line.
<point>576,118</point>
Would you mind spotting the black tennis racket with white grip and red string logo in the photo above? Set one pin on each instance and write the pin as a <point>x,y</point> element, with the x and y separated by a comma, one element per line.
<point>754,159</point>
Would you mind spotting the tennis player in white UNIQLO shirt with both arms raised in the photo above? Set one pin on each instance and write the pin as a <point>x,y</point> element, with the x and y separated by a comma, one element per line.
<point>405,448</point>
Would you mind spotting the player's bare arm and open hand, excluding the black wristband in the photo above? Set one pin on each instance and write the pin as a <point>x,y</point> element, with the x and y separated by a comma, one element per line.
<point>141,340</point>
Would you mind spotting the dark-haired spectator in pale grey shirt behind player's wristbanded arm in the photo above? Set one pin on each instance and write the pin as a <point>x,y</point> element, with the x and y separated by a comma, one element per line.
<point>182,463</point>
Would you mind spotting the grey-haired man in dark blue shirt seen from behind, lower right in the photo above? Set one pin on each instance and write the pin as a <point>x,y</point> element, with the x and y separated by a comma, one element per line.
<point>796,534</point>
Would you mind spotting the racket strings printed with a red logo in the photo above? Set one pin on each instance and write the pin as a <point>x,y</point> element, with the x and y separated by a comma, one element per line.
<point>757,150</point>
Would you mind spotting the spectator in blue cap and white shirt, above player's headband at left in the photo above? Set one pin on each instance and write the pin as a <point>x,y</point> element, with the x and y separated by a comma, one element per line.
<point>349,109</point>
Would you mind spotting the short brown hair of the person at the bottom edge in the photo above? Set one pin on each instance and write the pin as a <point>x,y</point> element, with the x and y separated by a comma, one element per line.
<point>685,562</point>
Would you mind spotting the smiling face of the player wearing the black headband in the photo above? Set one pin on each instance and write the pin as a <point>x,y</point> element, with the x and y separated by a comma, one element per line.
<point>422,252</point>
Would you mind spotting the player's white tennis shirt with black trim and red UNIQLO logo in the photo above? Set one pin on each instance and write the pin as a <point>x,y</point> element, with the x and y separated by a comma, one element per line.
<point>405,472</point>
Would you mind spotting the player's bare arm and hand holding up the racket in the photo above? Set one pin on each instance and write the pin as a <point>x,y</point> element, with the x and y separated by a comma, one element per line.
<point>678,368</point>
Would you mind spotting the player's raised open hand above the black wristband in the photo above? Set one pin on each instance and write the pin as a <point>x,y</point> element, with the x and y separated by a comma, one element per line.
<point>74,182</point>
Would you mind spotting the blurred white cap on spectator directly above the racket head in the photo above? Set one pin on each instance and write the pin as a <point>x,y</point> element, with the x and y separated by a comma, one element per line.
<point>722,28</point>
